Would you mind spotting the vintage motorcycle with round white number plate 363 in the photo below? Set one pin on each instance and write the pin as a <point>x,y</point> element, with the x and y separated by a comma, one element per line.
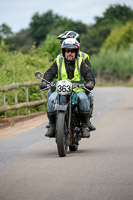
<point>68,126</point>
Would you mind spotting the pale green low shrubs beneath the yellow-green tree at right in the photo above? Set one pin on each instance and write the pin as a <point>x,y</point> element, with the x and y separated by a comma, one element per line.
<point>114,61</point>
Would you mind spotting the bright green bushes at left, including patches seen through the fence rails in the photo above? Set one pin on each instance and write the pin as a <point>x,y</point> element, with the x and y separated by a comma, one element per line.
<point>18,67</point>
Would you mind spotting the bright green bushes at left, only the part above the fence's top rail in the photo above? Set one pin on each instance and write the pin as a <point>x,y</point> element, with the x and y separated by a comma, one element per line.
<point>19,67</point>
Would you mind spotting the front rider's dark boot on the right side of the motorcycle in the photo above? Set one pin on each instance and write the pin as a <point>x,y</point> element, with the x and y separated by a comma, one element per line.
<point>84,124</point>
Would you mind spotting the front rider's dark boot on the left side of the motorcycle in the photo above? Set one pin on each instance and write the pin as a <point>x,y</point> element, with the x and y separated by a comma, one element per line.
<point>51,130</point>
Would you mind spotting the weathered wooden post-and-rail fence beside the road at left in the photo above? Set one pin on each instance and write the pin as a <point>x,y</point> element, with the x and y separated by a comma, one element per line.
<point>16,106</point>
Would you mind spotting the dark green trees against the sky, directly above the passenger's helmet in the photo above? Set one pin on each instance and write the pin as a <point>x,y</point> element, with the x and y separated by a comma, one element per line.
<point>50,23</point>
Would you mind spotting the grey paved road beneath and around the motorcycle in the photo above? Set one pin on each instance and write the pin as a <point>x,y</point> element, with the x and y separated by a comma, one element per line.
<point>101,169</point>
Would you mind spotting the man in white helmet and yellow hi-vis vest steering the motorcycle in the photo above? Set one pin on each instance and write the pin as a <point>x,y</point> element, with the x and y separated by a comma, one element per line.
<point>72,67</point>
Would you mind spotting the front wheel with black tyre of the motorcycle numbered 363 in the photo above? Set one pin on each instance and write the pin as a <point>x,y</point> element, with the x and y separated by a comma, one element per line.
<point>62,136</point>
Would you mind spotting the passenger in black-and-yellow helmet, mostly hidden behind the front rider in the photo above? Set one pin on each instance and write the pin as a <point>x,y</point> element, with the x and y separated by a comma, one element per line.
<point>85,56</point>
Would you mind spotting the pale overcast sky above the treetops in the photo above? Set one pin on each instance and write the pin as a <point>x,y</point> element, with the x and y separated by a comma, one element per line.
<point>18,13</point>
